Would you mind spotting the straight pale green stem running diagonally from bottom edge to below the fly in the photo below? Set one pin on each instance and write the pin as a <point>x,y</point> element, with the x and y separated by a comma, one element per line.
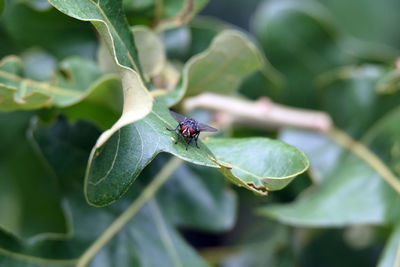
<point>120,222</point>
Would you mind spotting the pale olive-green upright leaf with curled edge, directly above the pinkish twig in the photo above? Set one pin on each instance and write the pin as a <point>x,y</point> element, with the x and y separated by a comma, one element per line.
<point>230,58</point>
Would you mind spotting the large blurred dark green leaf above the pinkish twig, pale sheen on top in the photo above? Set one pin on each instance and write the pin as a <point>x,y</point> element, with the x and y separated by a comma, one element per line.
<point>299,39</point>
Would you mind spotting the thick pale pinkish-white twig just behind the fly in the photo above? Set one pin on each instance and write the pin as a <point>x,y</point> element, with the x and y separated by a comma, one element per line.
<point>261,113</point>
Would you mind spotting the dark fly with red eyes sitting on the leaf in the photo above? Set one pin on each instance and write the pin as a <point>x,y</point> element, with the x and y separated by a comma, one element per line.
<point>189,129</point>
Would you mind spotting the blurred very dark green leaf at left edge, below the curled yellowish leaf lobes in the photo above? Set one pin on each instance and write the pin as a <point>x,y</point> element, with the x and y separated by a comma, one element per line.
<point>30,201</point>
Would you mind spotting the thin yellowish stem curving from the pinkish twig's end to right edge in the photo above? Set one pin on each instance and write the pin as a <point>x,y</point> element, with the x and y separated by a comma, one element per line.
<point>365,154</point>
